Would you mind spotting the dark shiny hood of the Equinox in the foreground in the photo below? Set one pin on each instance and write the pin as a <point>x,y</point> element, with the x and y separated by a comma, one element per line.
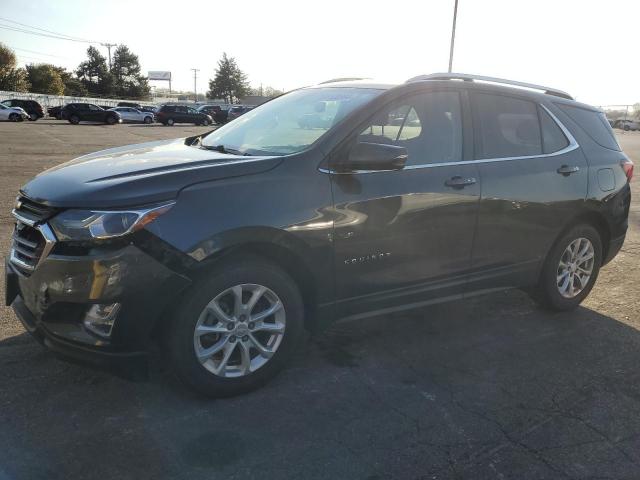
<point>137,175</point>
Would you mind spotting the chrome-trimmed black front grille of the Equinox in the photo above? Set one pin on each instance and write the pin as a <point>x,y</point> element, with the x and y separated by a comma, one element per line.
<point>32,239</point>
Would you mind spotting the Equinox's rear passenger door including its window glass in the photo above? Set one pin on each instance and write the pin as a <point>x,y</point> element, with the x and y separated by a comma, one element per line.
<point>534,179</point>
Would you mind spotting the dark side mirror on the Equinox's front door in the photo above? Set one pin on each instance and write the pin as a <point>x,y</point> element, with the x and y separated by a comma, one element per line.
<point>375,156</point>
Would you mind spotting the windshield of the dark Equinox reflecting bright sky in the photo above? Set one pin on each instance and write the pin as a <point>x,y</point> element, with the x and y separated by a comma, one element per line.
<point>290,123</point>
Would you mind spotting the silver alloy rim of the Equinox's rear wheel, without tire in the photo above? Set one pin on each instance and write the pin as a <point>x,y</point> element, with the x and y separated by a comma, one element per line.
<point>575,267</point>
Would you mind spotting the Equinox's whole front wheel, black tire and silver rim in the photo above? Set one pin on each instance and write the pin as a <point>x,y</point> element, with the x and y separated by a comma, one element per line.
<point>236,329</point>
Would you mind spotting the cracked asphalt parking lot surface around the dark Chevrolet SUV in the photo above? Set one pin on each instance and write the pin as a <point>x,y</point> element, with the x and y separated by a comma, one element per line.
<point>488,388</point>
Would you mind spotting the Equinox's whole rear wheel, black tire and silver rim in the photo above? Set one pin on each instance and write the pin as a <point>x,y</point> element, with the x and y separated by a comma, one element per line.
<point>564,282</point>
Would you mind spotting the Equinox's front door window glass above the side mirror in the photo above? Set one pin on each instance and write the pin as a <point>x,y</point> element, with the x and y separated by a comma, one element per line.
<point>428,125</point>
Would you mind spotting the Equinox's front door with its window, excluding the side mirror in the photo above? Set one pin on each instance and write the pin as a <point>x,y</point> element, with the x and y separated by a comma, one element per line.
<point>404,237</point>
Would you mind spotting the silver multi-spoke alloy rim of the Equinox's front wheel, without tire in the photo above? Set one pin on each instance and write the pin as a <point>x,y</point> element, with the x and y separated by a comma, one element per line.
<point>240,330</point>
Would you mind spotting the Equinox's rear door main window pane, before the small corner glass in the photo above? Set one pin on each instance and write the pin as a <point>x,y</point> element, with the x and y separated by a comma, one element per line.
<point>506,126</point>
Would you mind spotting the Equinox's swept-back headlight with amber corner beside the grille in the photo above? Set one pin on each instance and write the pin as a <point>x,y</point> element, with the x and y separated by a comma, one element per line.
<point>99,224</point>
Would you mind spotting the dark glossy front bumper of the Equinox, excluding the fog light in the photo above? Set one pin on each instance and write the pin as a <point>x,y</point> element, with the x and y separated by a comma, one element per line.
<point>53,300</point>
